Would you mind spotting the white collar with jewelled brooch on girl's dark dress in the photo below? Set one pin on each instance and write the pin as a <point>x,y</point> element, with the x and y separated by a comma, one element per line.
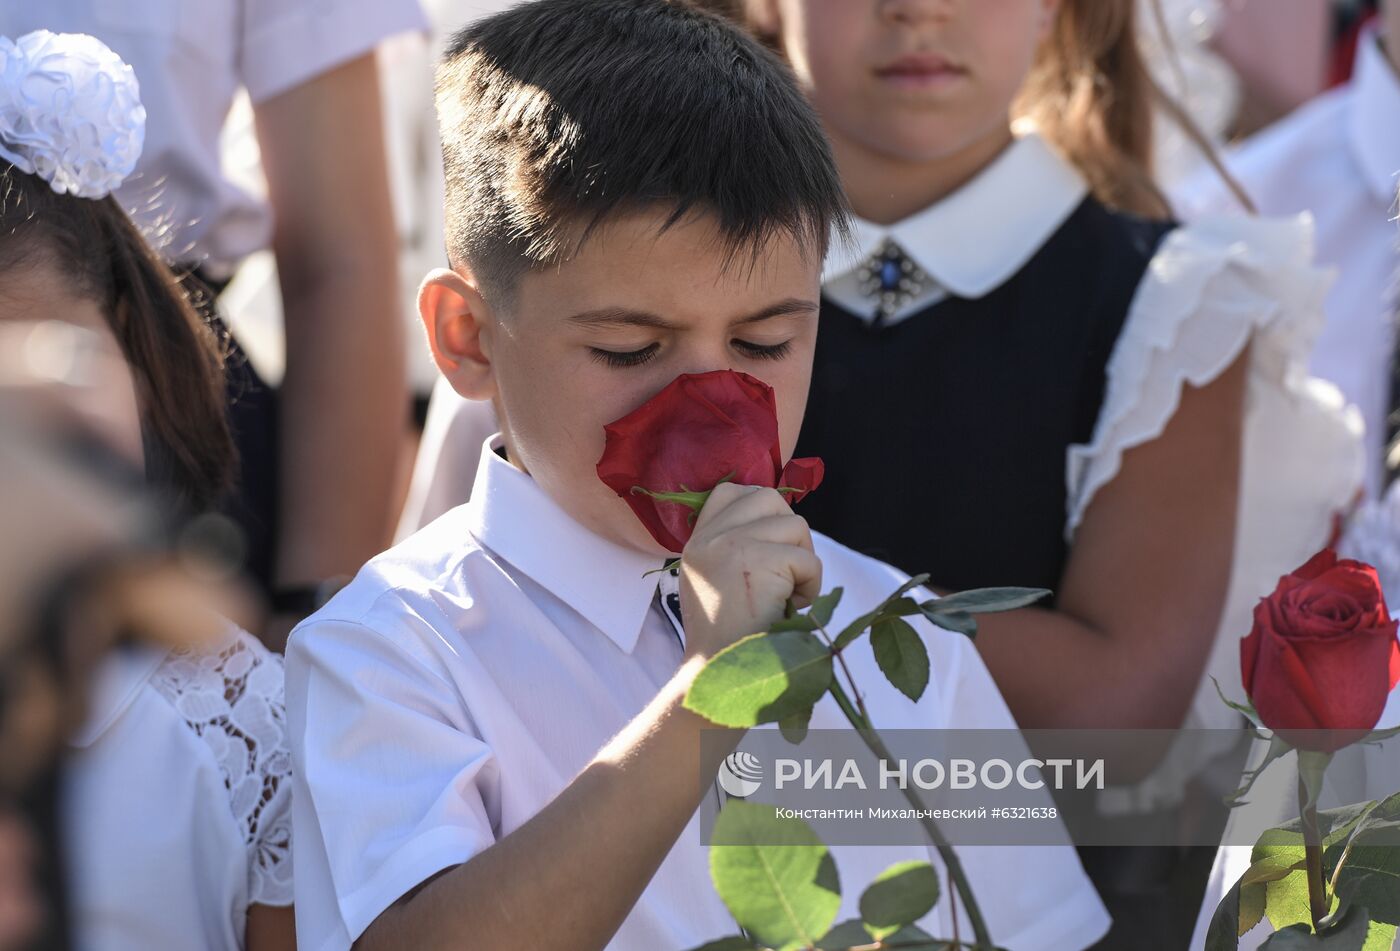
<point>981,236</point>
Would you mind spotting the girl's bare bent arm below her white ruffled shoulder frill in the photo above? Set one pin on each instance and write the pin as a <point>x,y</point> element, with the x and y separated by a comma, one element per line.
<point>1146,585</point>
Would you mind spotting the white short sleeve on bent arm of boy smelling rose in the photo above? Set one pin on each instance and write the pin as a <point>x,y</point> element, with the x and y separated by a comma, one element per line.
<point>391,779</point>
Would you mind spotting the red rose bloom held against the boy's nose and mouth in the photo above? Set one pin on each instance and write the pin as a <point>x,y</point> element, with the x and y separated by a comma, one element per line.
<point>701,431</point>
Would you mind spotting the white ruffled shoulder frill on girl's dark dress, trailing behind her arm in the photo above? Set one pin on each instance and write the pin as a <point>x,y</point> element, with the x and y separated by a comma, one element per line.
<point>1213,289</point>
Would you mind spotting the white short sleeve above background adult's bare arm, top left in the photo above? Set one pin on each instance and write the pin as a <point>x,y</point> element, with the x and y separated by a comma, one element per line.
<point>289,43</point>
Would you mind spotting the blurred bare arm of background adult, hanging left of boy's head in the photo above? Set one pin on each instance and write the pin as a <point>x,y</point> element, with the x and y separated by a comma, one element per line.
<point>344,400</point>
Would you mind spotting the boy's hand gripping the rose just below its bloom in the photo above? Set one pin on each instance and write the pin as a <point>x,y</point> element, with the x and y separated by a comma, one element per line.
<point>747,557</point>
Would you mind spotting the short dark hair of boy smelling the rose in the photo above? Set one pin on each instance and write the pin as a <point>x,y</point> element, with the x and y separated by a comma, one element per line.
<point>561,114</point>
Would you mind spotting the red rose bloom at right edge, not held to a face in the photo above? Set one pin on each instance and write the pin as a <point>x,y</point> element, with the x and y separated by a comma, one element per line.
<point>1324,653</point>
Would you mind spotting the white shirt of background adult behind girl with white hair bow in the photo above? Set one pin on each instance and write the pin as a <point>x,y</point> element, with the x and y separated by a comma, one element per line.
<point>191,58</point>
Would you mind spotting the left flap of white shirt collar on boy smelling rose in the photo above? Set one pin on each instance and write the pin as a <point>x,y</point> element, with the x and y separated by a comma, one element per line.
<point>517,520</point>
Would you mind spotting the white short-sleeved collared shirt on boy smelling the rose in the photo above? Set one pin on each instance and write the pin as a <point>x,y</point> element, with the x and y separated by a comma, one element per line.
<point>467,676</point>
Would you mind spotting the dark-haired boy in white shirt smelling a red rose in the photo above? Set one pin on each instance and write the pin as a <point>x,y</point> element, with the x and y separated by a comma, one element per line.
<point>488,723</point>
